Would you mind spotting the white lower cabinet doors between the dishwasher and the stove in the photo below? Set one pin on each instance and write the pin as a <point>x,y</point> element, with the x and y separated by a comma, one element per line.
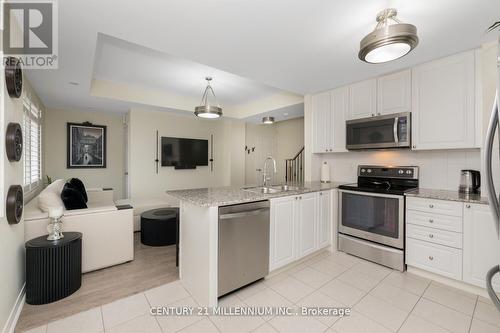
<point>300,225</point>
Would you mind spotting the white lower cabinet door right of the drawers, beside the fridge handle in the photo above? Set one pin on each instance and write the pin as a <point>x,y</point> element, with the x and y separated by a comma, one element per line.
<point>481,249</point>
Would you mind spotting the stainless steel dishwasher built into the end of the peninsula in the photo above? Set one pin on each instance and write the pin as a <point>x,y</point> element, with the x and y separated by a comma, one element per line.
<point>243,245</point>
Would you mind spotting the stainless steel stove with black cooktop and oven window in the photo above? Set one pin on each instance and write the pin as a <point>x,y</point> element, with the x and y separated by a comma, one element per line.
<point>372,213</point>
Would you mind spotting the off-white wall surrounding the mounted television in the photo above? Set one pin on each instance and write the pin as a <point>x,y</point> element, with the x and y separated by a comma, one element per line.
<point>144,182</point>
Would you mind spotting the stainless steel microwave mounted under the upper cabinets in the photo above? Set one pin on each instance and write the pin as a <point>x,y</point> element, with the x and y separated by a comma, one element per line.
<point>388,131</point>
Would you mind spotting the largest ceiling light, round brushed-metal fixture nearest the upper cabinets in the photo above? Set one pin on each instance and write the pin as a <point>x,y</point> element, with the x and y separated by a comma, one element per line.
<point>390,40</point>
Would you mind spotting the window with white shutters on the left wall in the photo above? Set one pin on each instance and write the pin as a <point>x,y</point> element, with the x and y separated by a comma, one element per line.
<point>32,135</point>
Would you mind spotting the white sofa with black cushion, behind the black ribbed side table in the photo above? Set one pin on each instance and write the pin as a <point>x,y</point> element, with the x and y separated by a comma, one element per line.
<point>107,231</point>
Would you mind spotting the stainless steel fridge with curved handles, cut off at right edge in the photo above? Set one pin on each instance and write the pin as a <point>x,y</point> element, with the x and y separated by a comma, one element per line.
<point>490,188</point>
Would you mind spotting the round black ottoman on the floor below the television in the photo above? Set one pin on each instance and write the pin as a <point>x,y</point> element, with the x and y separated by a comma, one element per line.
<point>159,226</point>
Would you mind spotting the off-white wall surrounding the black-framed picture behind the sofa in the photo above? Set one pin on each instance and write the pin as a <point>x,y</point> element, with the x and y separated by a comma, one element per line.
<point>55,148</point>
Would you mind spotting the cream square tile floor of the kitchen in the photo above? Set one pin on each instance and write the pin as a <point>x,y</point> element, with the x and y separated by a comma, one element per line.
<point>382,300</point>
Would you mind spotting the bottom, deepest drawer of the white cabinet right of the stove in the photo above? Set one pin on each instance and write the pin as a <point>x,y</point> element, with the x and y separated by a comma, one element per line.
<point>439,259</point>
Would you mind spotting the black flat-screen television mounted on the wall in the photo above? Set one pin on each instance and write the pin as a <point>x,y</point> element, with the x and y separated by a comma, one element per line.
<point>183,153</point>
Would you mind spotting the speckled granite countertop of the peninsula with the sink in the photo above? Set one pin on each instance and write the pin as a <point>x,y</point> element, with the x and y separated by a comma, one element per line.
<point>222,196</point>
